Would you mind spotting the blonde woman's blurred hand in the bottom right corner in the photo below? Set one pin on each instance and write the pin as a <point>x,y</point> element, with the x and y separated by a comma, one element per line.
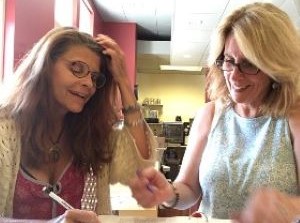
<point>268,205</point>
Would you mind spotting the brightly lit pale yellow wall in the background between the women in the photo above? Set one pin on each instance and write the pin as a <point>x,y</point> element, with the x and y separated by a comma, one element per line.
<point>180,94</point>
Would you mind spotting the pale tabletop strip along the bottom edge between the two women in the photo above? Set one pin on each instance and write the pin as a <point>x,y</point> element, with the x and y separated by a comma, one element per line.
<point>178,219</point>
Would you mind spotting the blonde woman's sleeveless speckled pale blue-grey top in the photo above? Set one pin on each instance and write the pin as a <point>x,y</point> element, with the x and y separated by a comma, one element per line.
<point>243,154</point>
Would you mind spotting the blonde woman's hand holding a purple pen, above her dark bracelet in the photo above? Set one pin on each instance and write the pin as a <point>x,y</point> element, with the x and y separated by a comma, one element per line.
<point>150,188</point>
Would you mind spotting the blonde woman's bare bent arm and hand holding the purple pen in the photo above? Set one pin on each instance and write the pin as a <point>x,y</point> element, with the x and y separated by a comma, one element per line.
<point>151,187</point>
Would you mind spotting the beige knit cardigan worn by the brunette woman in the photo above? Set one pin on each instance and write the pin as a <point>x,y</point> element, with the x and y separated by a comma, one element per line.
<point>126,160</point>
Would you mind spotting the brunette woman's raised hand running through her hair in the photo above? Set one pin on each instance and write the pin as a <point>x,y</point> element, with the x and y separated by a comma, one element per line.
<point>117,59</point>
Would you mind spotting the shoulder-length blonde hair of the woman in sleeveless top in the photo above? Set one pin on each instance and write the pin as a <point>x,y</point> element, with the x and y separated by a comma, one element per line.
<point>269,40</point>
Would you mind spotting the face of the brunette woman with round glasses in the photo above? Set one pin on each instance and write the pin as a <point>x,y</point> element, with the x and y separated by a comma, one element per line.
<point>70,92</point>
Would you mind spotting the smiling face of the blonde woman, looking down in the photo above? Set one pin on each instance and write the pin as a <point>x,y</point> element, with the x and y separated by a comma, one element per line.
<point>244,88</point>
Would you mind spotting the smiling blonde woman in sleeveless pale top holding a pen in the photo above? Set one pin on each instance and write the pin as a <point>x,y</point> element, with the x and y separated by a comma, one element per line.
<point>247,137</point>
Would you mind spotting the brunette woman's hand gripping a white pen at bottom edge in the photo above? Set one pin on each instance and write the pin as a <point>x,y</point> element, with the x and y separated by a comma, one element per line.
<point>77,216</point>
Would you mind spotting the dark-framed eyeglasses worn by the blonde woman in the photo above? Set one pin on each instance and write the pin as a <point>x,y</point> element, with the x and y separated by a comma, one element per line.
<point>244,67</point>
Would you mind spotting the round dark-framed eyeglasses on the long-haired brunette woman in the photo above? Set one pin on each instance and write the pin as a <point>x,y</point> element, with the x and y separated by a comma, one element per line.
<point>81,69</point>
